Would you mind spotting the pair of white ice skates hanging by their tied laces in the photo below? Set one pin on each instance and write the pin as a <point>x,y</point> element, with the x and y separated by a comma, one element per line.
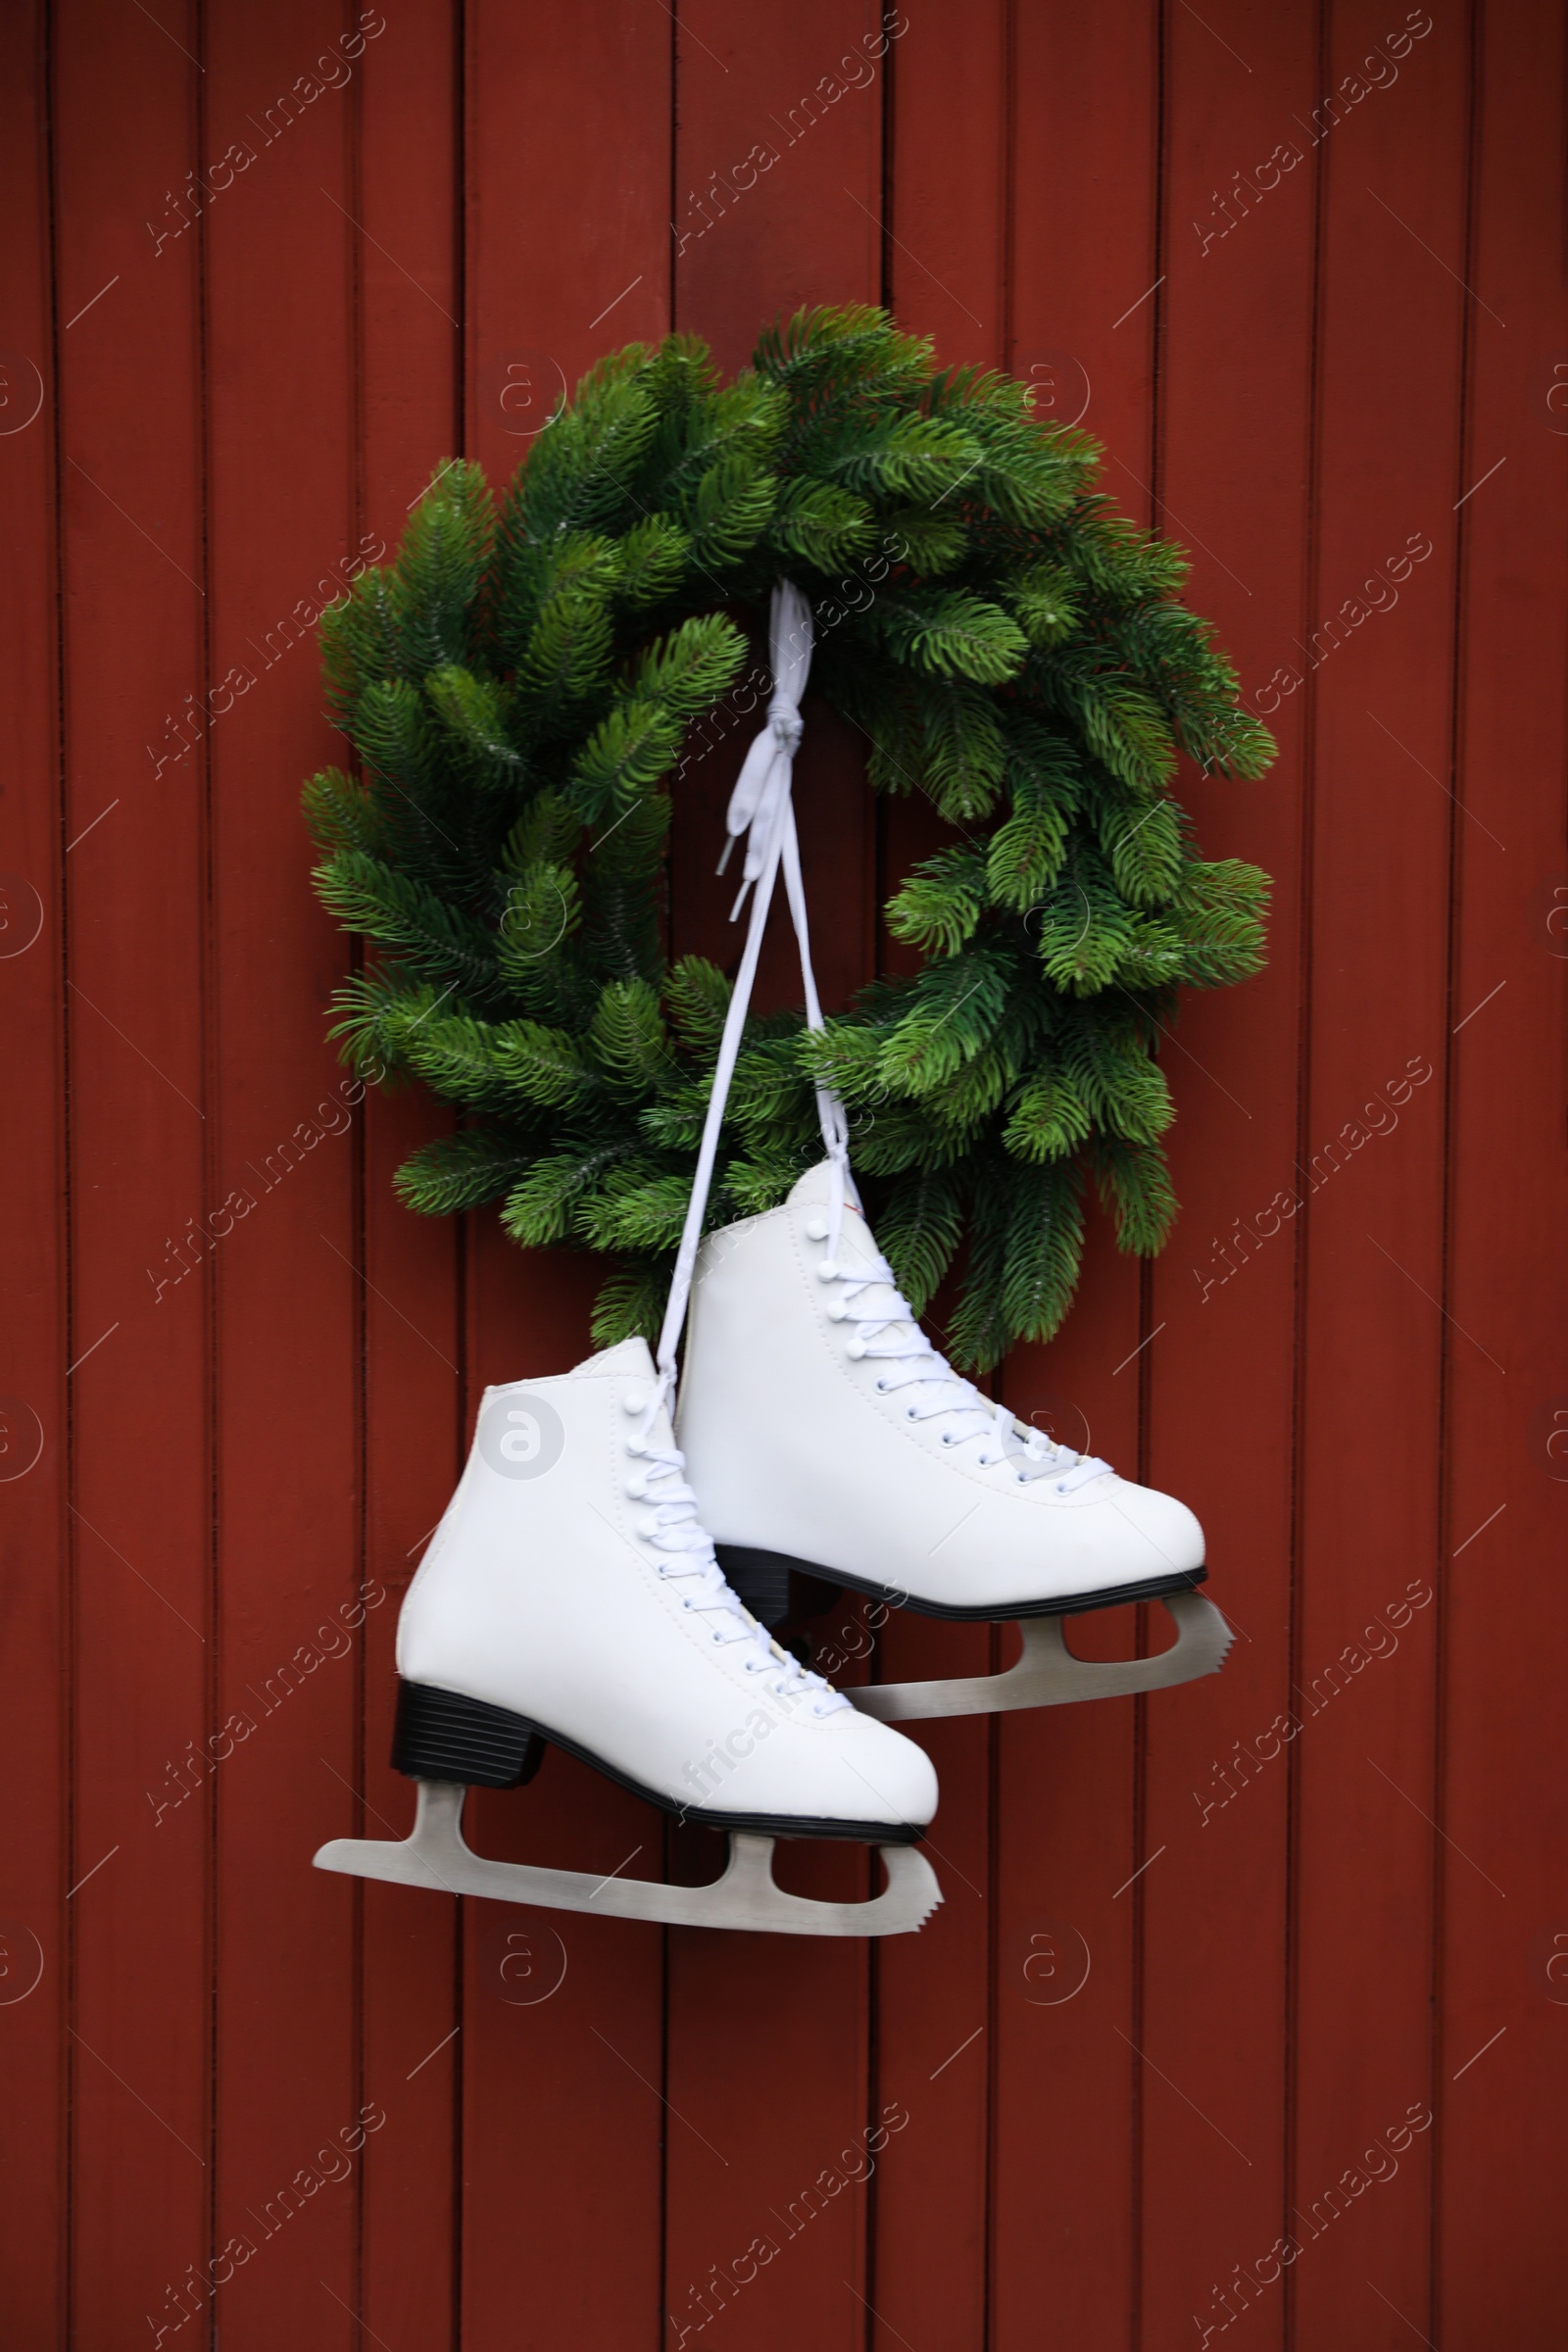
<point>577,1589</point>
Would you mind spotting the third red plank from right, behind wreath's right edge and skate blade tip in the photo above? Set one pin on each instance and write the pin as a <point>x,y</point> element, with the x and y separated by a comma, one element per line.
<point>1221,1365</point>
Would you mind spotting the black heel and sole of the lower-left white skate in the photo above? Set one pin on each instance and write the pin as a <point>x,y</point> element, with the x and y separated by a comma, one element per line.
<point>448,1737</point>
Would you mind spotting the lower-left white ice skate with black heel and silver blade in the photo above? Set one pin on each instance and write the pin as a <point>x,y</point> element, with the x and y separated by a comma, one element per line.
<point>572,1598</point>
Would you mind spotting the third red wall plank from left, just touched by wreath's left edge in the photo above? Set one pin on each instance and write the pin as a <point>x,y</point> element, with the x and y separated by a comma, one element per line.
<point>281,375</point>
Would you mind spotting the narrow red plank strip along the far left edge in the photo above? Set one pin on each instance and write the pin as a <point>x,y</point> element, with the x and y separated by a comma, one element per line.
<point>36,1351</point>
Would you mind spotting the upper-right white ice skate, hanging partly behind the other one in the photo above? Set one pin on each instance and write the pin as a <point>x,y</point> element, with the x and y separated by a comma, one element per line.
<point>826,1434</point>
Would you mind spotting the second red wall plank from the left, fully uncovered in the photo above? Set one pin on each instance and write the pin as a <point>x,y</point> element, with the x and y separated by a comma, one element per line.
<point>142,1318</point>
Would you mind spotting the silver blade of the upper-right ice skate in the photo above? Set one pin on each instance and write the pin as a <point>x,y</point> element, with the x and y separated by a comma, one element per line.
<point>1050,1676</point>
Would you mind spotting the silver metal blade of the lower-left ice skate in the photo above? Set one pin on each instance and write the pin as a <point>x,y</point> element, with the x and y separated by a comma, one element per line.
<point>744,1897</point>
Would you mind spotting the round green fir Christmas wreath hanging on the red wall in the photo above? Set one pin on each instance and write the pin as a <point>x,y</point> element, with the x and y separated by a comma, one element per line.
<point>521,688</point>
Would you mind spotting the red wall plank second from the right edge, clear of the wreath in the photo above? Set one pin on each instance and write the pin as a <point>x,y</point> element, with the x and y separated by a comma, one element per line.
<point>1381,695</point>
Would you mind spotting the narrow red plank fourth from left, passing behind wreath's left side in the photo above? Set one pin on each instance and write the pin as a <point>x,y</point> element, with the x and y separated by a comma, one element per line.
<point>410,356</point>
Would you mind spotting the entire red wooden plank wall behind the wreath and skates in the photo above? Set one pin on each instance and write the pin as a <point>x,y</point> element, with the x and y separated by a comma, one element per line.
<point>1247,2005</point>
